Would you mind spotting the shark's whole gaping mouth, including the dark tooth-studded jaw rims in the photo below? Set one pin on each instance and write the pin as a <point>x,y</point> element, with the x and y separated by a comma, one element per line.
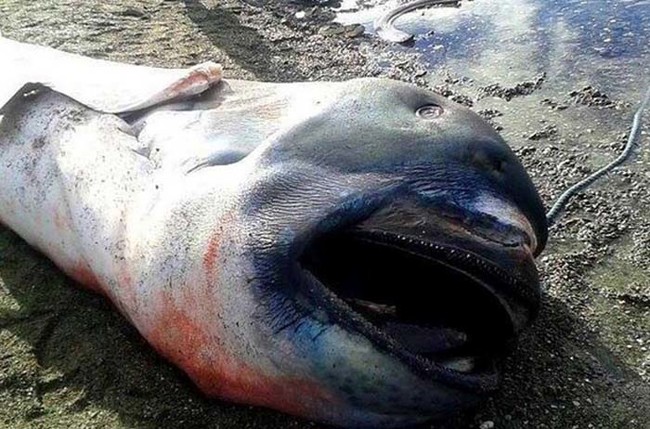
<point>446,312</point>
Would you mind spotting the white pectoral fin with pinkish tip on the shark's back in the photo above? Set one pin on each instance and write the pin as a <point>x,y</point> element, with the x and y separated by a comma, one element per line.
<point>102,85</point>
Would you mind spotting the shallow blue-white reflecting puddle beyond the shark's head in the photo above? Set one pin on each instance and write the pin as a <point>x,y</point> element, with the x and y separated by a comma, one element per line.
<point>605,42</point>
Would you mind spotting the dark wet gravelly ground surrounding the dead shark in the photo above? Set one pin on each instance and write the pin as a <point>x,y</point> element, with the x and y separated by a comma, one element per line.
<point>68,360</point>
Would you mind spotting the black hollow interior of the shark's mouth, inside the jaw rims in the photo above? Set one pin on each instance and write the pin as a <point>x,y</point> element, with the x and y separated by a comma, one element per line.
<point>431,308</point>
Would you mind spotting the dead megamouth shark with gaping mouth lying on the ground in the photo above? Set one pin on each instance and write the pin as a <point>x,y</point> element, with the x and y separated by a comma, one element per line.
<point>359,253</point>
